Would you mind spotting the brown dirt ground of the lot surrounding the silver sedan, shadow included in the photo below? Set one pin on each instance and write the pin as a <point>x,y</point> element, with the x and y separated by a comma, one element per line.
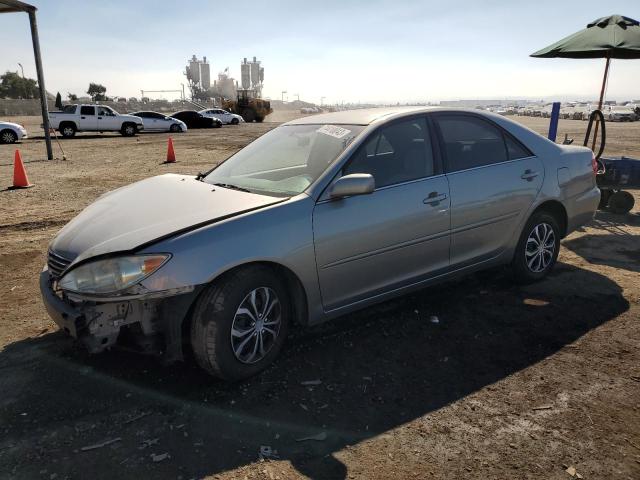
<point>536,382</point>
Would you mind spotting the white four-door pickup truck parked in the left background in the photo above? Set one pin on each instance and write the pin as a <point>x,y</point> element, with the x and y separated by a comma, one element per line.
<point>93,118</point>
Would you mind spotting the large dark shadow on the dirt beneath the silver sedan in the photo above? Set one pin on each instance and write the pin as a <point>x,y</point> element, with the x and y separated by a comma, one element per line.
<point>379,369</point>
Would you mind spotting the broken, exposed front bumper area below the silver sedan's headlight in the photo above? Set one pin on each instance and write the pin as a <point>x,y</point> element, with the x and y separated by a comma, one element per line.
<point>150,322</point>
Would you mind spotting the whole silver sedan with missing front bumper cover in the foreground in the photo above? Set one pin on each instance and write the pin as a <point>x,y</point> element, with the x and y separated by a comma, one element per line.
<point>319,217</point>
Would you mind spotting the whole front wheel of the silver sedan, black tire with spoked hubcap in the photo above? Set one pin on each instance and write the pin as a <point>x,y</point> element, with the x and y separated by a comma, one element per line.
<point>226,306</point>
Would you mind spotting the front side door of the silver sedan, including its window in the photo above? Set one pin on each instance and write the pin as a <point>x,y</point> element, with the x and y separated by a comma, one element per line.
<point>370,244</point>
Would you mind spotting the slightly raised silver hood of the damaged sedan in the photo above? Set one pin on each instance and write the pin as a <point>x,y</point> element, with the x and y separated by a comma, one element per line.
<point>142,212</point>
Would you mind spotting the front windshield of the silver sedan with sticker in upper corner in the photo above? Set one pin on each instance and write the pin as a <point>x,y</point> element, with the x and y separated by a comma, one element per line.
<point>285,161</point>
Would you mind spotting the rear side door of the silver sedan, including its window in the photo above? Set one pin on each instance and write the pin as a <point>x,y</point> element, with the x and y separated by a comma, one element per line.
<point>493,180</point>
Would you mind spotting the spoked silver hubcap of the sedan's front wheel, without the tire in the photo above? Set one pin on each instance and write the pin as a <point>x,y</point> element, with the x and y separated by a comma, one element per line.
<point>256,325</point>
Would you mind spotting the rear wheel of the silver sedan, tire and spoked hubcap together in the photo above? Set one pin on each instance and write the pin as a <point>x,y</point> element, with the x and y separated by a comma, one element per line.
<point>529,263</point>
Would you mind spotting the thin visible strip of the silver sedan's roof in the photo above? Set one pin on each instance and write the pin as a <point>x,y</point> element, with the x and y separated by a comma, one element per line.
<point>367,116</point>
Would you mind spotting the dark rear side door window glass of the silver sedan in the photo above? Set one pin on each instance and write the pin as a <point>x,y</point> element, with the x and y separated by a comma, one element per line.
<point>471,142</point>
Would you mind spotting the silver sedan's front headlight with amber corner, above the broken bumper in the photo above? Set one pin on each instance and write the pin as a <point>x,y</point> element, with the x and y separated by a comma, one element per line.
<point>111,275</point>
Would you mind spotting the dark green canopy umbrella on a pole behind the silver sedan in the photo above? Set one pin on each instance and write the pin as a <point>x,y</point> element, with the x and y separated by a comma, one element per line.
<point>607,37</point>
